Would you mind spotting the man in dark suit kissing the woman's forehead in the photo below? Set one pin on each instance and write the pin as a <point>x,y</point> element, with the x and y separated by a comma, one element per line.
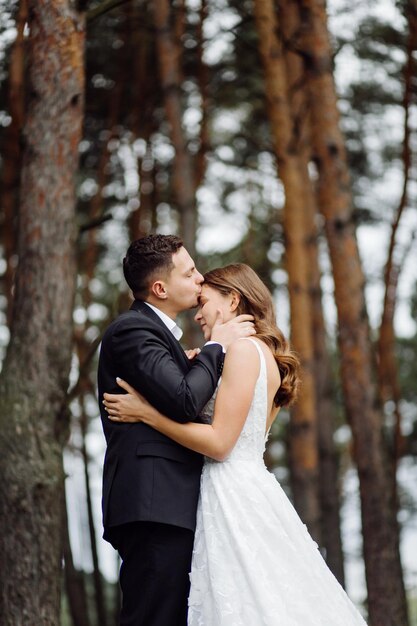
<point>150,483</point>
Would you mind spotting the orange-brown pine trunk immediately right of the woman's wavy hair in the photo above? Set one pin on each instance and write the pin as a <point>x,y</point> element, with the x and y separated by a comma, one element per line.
<point>303,426</point>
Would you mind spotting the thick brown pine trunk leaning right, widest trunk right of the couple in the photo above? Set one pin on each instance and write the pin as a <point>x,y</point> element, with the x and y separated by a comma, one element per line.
<point>386,595</point>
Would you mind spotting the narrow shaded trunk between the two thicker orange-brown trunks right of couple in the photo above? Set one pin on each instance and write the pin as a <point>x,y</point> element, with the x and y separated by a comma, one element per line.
<point>328,462</point>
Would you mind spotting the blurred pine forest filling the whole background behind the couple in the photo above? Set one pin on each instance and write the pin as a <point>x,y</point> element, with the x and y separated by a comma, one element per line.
<point>278,133</point>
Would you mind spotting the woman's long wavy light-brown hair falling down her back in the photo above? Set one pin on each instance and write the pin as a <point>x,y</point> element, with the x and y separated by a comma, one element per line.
<point>256,300</point>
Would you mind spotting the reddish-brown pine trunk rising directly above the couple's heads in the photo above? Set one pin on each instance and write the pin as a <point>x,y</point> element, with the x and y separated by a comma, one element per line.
<point>182,175</point>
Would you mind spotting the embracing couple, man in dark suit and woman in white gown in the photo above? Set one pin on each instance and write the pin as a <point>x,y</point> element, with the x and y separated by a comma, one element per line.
<point>186,495</point>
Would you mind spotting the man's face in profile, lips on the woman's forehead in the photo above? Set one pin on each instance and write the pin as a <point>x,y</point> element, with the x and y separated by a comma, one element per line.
<point>183,285</point>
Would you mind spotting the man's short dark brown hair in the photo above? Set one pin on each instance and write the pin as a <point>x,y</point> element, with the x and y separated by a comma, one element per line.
<point>147,259</point>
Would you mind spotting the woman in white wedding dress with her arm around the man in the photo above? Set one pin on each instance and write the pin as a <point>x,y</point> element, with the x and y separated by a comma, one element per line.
<point>254,563</point>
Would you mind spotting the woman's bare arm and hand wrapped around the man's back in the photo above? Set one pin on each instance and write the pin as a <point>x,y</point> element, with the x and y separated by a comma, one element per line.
<point>240,372</point>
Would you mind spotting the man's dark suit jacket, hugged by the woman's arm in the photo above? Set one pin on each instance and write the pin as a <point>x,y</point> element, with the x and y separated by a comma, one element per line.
<point>146,476</point>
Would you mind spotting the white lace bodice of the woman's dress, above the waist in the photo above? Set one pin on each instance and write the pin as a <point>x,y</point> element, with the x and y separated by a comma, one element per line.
<point>251,442</point>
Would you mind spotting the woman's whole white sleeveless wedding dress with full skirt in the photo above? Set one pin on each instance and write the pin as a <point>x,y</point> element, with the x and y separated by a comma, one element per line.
<point>254,563</point>
